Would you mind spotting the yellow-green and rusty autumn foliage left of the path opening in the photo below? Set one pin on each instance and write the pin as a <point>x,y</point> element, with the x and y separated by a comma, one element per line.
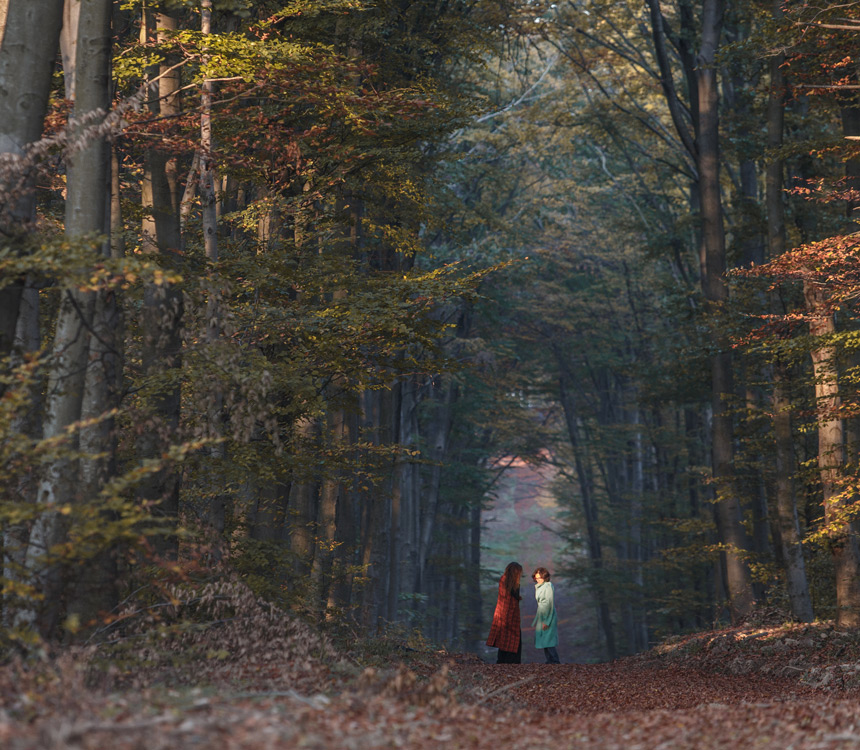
<point>329,122</point>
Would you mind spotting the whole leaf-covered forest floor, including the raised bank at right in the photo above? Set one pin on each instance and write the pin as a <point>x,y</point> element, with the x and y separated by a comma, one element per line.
<point>787,688</point>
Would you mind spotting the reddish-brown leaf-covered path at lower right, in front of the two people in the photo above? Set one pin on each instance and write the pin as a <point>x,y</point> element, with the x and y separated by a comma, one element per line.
<point>634,705</point>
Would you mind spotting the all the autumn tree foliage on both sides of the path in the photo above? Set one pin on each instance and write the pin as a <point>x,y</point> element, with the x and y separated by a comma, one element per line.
<point>486,205</point>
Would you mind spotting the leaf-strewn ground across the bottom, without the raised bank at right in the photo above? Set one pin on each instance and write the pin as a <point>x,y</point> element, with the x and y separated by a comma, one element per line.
<point>623,705</point>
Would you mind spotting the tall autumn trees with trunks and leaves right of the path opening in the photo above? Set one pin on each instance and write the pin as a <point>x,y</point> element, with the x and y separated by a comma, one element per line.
<point>682,178</point>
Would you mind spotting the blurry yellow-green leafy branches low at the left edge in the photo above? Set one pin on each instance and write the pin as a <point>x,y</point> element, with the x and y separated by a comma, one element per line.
<point>108,521</point>
